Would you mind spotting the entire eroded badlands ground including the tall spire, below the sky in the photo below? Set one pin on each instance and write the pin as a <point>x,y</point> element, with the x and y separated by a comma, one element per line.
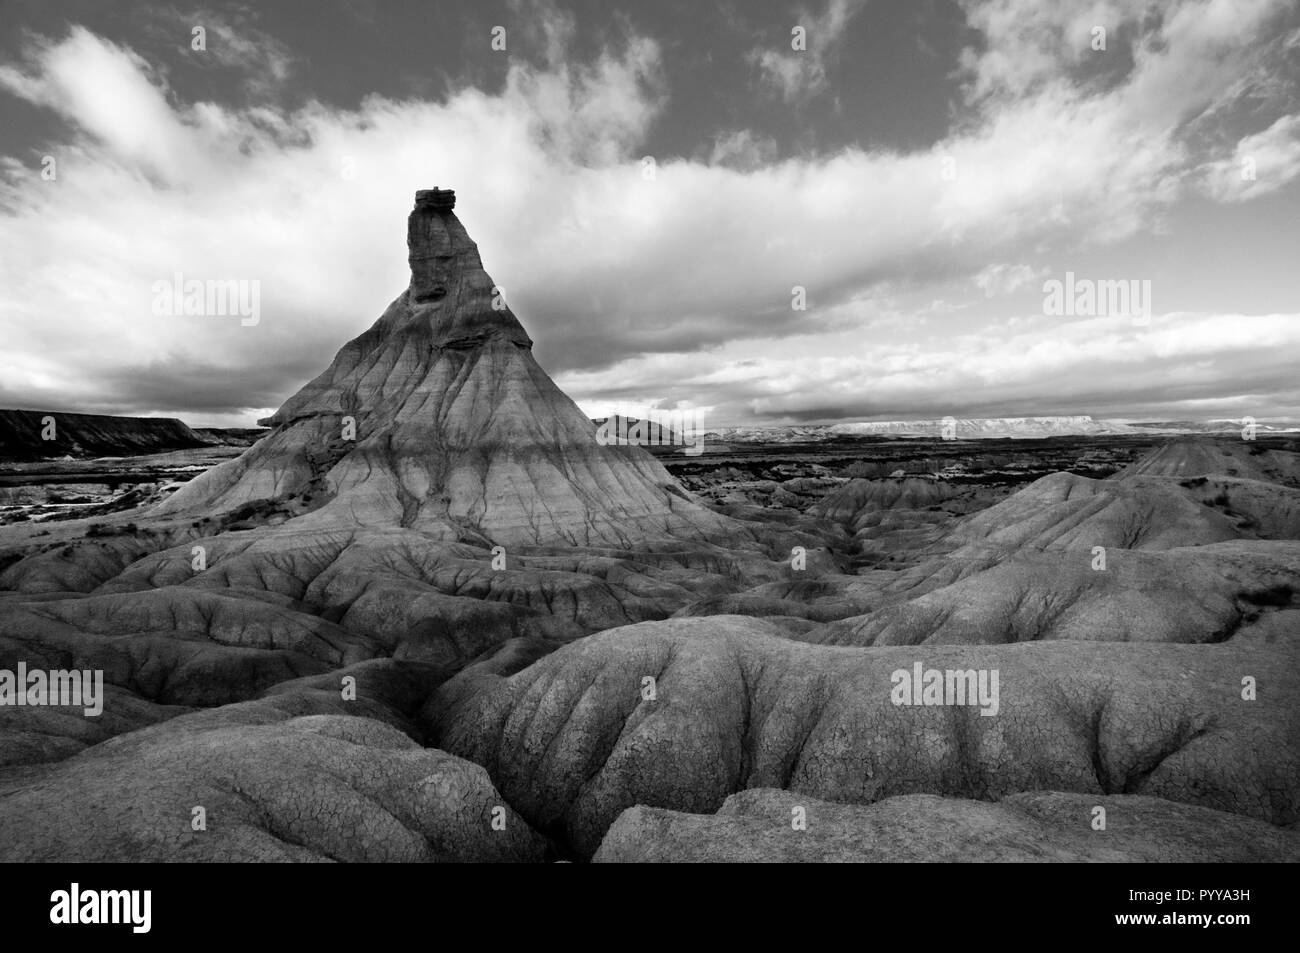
<point>426,616</point>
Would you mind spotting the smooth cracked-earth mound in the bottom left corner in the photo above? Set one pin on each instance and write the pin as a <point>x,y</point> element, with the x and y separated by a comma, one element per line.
<point>300,776</point>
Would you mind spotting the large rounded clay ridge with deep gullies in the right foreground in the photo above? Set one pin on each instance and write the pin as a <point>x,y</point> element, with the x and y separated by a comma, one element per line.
<point>574,740</point>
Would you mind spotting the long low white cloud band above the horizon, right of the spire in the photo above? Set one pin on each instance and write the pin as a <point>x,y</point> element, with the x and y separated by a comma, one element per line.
<point>1022,366</point>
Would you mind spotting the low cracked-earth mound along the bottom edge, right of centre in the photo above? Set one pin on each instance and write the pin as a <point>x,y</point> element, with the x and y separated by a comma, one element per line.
<point>756,826</point>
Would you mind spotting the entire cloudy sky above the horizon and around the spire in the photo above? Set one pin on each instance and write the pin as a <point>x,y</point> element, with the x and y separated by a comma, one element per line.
<point>766,213</point>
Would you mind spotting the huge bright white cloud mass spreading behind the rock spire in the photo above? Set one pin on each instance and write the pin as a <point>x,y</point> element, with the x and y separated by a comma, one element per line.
<point>618,278</point>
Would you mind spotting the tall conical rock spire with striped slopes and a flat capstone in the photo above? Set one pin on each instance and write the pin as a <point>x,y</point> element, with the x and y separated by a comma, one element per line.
<point>439,419</point>
